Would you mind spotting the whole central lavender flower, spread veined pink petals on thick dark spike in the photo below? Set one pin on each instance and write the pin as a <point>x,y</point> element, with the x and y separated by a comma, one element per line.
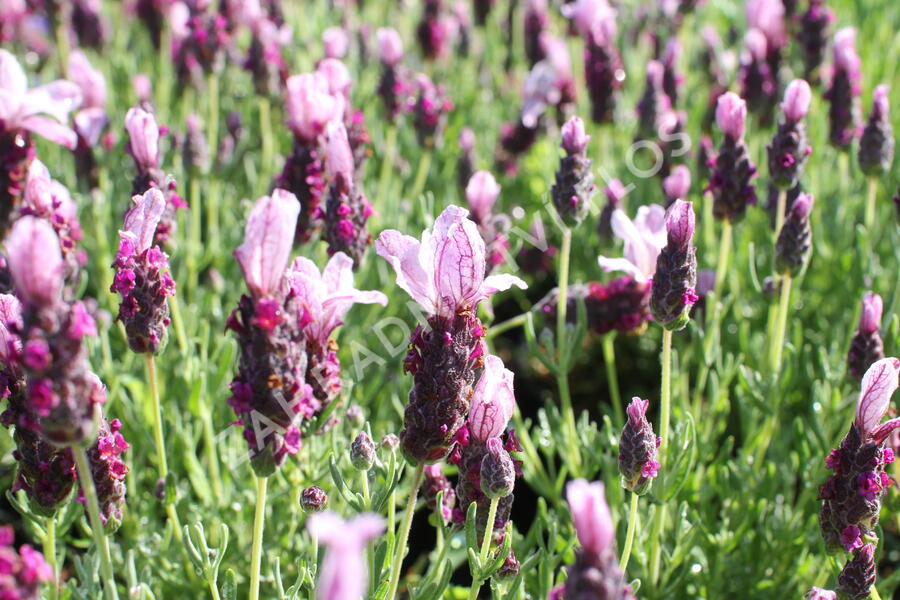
<point>444,273</point>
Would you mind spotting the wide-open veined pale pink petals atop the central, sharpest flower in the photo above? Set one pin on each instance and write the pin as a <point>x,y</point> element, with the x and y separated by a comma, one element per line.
<point>444,272</point>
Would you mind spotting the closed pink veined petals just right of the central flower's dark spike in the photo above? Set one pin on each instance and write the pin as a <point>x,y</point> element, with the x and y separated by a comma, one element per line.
<point>493,402</point>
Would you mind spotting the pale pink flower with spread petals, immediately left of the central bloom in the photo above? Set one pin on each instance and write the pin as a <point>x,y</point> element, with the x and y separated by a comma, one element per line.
<point>323,299</point>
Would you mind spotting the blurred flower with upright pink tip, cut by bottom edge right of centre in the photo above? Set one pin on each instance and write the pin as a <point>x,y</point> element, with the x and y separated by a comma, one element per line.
<point>596,572</point>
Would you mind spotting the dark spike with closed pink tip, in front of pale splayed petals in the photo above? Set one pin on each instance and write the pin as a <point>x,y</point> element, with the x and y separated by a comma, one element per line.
<point>672,292</point>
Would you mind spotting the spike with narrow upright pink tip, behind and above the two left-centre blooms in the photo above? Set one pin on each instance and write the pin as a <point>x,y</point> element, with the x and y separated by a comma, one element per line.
<point>347,210</point>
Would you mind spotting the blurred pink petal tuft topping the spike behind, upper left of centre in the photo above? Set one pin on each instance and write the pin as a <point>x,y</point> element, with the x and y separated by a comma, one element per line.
<point>310,105</point>
